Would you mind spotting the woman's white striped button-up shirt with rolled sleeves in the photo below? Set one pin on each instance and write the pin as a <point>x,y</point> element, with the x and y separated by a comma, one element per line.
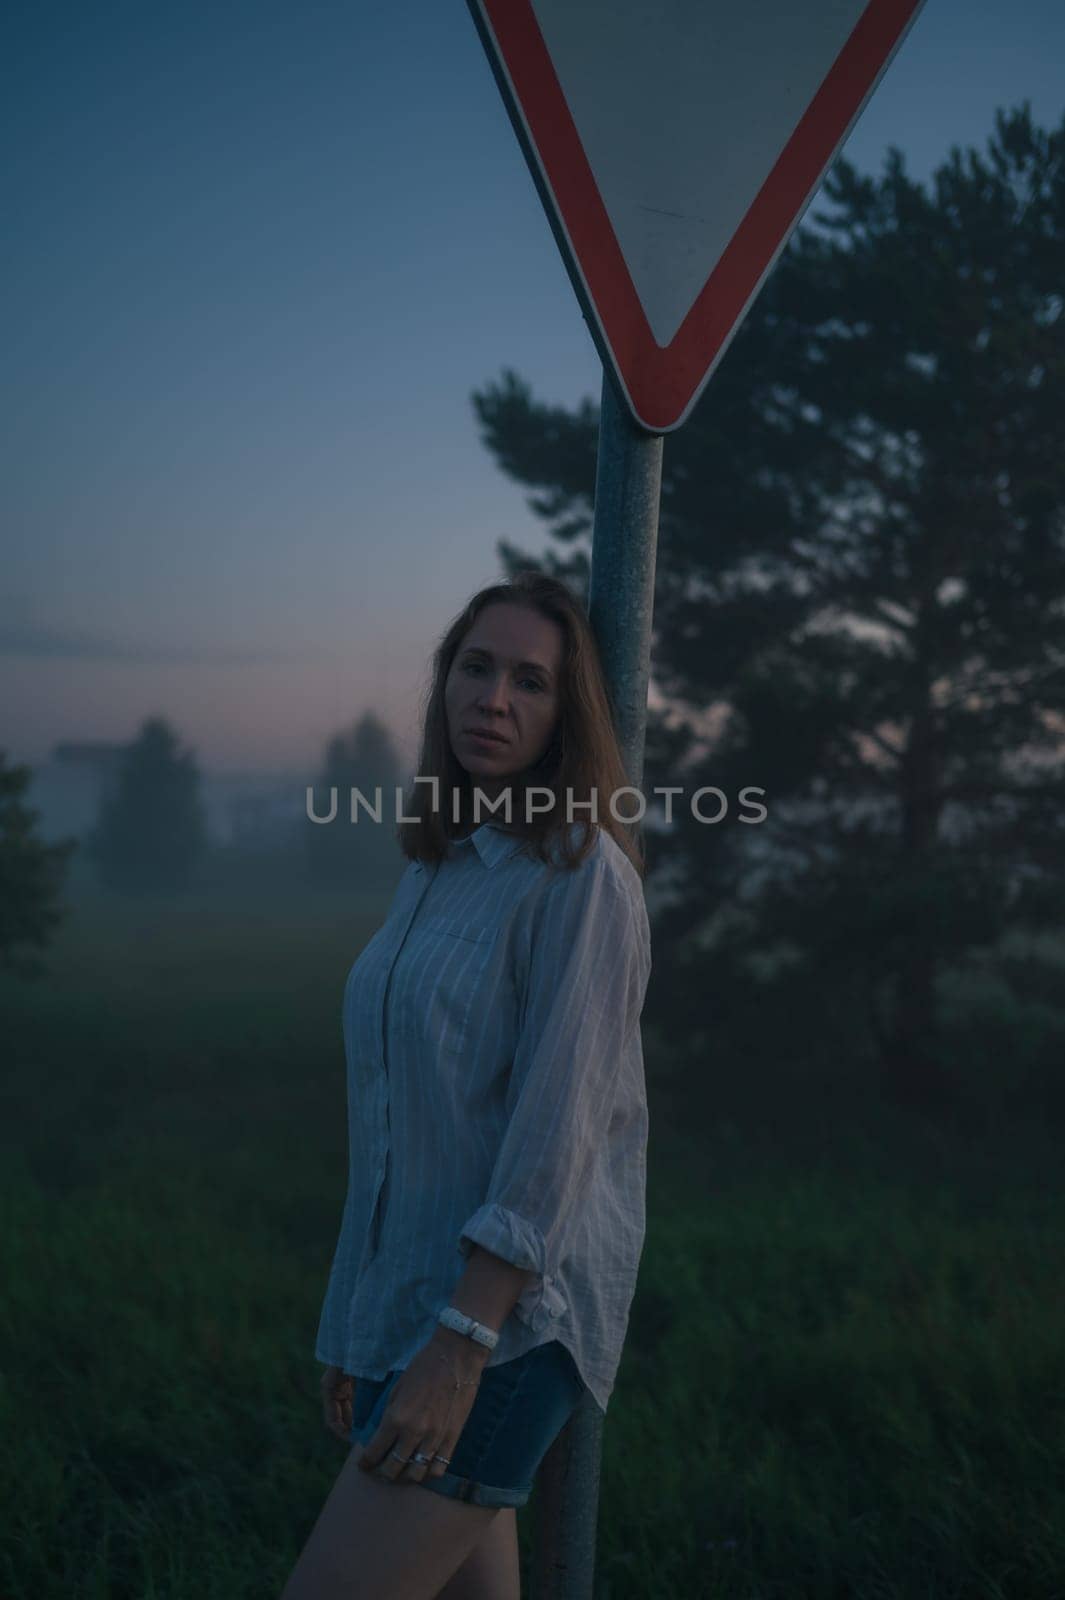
<point>497,1097</point>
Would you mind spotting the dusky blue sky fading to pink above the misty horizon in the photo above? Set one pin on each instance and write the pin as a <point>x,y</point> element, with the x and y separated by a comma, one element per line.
<point>258,260</point>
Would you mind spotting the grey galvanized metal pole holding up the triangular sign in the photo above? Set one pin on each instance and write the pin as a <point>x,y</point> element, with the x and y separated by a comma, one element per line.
<point>621,606</point>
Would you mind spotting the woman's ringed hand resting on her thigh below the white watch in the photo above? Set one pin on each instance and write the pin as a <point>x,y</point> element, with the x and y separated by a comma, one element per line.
<point>426,1412</point>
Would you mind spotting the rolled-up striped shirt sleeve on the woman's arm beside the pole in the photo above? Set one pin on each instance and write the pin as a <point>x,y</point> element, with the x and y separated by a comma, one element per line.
<point>589,967</point>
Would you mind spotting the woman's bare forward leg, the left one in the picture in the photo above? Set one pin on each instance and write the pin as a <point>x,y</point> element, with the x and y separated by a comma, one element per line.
<point>385,1542</point>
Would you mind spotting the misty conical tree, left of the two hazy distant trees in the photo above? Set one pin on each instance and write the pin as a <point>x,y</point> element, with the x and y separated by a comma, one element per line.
<point>153,826</point>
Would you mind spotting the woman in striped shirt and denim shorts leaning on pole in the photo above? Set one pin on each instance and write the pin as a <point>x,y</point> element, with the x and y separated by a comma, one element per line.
<point>498,1118</point>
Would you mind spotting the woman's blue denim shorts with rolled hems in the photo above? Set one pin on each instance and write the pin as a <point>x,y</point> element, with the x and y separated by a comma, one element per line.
<point>521,1410</point>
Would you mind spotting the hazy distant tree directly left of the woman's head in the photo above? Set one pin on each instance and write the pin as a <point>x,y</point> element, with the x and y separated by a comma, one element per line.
<point>343,854</point>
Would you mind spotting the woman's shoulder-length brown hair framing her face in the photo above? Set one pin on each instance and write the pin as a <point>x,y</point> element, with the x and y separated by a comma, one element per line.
<point>583,756</point>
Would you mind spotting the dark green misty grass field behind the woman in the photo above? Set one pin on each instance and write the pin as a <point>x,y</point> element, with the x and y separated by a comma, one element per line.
<point>847,1364</point>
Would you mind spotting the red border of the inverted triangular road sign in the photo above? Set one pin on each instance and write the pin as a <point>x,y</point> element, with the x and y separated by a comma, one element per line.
<point>661,380</point>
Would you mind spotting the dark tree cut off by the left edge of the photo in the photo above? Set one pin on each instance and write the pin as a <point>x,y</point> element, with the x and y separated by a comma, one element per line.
<point>31,878</point>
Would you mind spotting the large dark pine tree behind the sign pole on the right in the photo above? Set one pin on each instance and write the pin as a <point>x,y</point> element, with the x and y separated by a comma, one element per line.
<point>863,578</point>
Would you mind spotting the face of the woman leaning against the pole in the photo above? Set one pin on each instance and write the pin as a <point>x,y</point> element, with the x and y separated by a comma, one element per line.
<point>505,678</point>
